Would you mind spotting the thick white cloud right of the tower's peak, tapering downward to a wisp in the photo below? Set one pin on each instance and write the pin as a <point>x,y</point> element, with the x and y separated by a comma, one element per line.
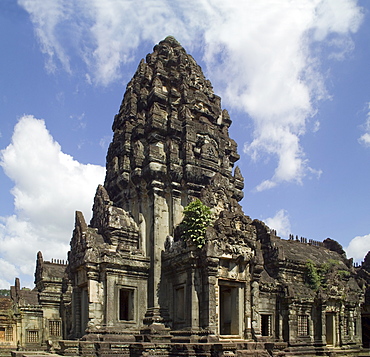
<point>269,71</point>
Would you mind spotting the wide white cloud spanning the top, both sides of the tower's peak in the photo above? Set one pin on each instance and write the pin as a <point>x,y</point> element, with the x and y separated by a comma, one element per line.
<point>258,52</point>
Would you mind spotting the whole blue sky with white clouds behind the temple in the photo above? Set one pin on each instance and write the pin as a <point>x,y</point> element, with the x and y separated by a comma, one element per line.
<point>293,75</point>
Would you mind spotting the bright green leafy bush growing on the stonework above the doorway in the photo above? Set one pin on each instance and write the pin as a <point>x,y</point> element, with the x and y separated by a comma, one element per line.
<point>197,217</point>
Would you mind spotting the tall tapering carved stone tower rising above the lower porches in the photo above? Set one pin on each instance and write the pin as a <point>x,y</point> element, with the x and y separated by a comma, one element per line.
<point>170,144</point>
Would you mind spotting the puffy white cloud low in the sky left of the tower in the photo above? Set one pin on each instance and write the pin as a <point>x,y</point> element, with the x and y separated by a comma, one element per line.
<point>49,186</point>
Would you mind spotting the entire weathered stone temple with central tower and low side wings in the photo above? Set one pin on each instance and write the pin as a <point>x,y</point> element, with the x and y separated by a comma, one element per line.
<point>132,286</point>
